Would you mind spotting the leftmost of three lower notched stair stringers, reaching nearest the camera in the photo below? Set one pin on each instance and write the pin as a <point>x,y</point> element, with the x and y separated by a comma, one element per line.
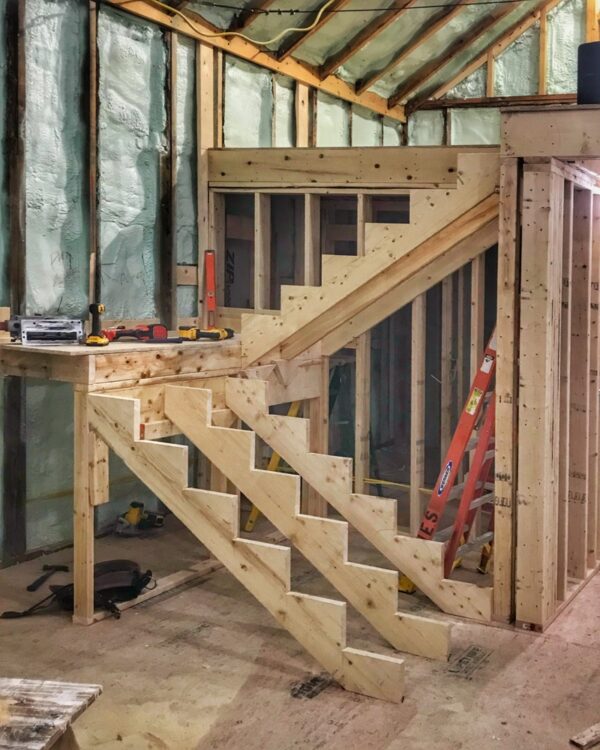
<point>319,624</point>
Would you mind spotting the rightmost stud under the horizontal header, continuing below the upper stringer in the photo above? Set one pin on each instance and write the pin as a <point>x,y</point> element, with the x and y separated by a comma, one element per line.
<point>362,415</point>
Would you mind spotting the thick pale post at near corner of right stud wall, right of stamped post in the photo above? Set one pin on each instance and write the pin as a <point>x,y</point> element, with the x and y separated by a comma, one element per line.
<point>539,396</point>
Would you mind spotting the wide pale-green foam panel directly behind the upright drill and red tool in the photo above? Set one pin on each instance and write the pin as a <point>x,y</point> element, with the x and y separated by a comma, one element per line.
<point>132,121</point>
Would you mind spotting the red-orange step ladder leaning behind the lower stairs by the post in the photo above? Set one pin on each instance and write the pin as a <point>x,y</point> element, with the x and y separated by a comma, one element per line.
<point>474,432</point>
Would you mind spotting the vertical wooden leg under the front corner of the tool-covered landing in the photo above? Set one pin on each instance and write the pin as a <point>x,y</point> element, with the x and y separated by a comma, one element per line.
<point>83,531</point>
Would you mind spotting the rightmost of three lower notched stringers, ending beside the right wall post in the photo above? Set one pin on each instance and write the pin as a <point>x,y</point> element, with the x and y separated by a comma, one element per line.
<point>375,518</point>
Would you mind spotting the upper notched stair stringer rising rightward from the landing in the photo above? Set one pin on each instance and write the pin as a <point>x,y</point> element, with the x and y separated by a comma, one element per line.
<point>440,219</point>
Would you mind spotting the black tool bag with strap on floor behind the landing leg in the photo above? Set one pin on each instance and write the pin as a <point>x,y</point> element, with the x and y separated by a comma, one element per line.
<point>114,581</point>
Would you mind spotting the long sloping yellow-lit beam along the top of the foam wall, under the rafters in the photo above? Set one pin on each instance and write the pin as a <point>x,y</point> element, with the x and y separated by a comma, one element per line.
<point>197,28</point>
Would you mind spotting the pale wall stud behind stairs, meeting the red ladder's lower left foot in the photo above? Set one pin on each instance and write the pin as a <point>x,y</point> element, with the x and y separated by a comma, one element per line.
<point>417,409</point>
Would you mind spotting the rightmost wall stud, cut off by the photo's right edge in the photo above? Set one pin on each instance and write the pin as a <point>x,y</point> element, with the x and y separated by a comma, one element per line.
<point>594,383</point>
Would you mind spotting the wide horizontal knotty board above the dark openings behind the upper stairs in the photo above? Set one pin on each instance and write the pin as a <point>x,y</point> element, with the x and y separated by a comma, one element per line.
<point>296,168</point>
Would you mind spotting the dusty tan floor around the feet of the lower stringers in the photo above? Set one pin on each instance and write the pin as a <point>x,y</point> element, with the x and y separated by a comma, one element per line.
<point>206,668</point>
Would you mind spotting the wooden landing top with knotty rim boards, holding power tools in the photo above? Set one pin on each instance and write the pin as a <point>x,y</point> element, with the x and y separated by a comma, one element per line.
<point>126,363</point>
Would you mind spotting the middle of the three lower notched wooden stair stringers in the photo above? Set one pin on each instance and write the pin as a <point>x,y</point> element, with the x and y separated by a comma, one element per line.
<point>370,590</point>
